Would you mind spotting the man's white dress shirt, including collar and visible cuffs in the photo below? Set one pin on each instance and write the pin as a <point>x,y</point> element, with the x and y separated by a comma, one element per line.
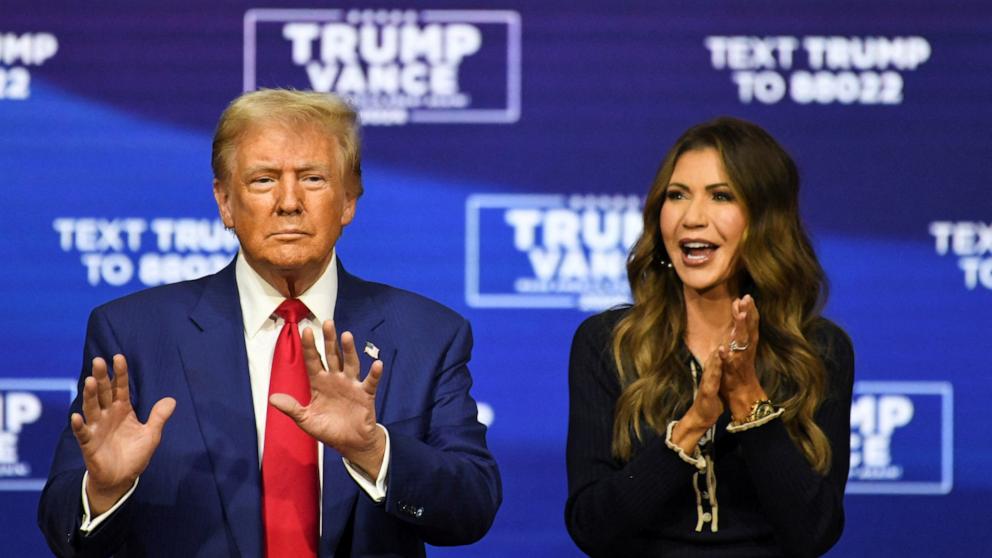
<point>259,301</point>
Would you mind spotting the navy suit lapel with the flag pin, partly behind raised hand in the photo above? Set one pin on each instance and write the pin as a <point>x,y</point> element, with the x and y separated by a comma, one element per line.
<point>356,310</point>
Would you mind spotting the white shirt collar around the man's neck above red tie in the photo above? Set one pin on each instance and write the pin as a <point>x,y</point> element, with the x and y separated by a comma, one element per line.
<point>259,299</point>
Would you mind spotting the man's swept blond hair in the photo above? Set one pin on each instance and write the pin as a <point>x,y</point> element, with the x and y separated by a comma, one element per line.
<point>296,109</point>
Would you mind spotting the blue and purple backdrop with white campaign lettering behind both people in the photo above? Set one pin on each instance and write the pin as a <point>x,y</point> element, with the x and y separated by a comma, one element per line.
<point>507,149</point>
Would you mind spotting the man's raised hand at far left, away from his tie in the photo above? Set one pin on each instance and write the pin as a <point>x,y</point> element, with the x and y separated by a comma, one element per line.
<point>116,446</point>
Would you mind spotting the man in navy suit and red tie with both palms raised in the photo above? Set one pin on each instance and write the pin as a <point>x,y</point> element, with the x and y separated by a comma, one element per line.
<point>264,436</point>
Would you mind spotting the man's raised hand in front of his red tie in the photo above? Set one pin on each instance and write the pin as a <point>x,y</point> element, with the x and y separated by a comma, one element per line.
<point>341,413</point>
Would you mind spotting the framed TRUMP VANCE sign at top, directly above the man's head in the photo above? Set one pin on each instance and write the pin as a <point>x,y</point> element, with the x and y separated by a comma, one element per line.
<point>397,66</point>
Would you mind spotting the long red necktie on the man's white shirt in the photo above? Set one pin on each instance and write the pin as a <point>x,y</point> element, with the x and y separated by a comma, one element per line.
<point>290,488</point>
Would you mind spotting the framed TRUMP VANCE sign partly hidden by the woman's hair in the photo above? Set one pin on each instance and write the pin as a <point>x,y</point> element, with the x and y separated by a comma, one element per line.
<point>549,251</point>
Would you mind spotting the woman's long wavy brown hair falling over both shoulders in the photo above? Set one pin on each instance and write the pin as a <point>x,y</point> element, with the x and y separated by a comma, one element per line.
<point>778,269</point>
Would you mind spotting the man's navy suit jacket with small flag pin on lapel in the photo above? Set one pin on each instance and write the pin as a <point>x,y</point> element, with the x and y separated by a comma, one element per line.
<point>201,493</point>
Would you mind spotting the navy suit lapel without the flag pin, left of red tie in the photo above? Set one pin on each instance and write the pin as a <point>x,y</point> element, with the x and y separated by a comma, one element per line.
<point>216,366</point>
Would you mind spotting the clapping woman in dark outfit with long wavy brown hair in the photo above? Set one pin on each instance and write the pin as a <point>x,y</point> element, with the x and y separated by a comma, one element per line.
<point>712,417</point>
